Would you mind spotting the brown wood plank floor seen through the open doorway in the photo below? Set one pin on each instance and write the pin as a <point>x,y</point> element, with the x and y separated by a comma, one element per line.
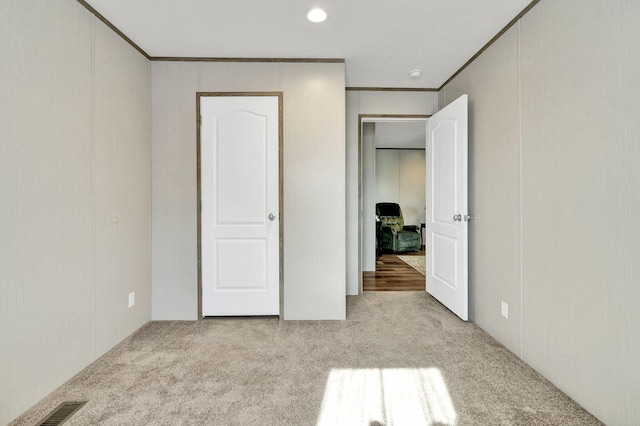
<point>392,274</point>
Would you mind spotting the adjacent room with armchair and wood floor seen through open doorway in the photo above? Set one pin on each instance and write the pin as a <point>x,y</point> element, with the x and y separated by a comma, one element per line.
<point>399,203</point>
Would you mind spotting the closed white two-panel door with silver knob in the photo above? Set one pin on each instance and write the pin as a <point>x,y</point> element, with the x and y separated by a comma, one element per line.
<point>240,218</point>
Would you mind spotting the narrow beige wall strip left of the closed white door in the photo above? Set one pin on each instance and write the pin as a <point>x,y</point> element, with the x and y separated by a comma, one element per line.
<point>174,226</point>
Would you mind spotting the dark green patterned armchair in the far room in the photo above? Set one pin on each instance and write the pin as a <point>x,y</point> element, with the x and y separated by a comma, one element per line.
<point>396,237</point>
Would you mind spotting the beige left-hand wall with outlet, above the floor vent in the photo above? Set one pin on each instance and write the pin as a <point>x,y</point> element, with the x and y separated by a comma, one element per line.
<point>75,152</point>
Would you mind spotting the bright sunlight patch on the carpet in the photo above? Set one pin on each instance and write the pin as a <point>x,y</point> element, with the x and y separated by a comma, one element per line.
<point>385,397</point>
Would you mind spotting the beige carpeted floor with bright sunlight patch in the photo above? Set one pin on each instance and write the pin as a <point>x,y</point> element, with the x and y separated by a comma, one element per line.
<point>400,359</point>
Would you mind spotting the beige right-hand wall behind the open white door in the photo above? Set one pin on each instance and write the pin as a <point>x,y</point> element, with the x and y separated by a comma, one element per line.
<point>555,174</point>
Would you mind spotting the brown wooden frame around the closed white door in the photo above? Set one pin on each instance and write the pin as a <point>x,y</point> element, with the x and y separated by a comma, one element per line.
<point>280,96</point>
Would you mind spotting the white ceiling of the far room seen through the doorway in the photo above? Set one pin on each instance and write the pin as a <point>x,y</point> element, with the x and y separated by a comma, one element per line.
<point>401,134</point>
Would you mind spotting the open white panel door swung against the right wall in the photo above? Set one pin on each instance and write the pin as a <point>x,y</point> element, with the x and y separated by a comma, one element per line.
<point>447,216</point>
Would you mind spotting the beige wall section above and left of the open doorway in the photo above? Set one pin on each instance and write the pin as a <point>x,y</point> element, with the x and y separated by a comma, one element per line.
<point>371,102</point>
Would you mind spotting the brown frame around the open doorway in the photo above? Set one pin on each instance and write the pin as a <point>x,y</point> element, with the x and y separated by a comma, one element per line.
<point>373,118</point>
